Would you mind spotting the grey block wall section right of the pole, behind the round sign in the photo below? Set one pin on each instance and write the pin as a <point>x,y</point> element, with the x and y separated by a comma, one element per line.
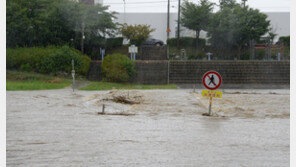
<point>232,72</point>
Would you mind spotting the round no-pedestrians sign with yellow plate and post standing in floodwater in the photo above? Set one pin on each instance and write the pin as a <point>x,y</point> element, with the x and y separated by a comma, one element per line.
<point>211,80</point>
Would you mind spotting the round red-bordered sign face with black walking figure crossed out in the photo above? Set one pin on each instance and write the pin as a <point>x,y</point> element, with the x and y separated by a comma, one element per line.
<point>212,80</point>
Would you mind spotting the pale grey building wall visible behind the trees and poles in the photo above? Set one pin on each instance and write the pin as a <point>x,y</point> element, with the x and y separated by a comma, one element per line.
<point>279,21</point>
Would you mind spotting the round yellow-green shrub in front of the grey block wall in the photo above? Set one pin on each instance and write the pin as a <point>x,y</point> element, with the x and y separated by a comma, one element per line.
<point>117,68</point>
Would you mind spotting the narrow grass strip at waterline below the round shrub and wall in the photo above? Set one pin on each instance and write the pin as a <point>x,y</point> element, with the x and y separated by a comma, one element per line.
<point>109,86</point>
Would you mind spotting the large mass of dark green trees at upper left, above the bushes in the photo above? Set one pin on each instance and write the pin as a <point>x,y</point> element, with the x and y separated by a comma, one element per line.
<point>57,22</point>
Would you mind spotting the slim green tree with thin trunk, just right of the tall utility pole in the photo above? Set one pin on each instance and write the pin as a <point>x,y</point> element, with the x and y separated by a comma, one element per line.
<point>196,17</point>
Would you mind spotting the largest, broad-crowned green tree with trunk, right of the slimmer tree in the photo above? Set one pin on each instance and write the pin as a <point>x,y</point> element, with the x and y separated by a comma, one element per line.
<point>235,27</point>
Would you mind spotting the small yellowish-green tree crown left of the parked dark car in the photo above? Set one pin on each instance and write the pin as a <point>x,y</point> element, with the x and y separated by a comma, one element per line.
<point>137,34</point>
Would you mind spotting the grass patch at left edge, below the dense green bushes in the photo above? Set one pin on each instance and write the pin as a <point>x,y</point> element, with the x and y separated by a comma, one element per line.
<point>16,80</point>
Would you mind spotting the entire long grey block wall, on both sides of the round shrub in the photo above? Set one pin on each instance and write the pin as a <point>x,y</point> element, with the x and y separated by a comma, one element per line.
<point>191,72</point>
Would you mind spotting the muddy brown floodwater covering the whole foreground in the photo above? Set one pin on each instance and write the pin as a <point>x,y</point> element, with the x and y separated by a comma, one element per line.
<point>59,128</point>
